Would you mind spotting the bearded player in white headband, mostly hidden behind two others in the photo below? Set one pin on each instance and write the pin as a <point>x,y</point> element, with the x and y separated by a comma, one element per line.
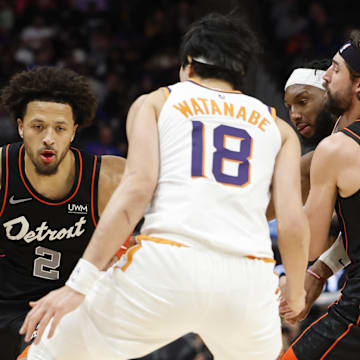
<point>304,97</point>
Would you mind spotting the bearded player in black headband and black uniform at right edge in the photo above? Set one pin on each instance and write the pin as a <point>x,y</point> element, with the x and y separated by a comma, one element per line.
<point>335,183</point>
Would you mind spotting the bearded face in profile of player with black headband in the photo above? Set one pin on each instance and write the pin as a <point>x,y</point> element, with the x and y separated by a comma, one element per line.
<point>339,87</point>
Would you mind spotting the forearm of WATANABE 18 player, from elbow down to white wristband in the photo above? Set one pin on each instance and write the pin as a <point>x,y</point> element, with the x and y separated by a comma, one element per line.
<point>123,212</point>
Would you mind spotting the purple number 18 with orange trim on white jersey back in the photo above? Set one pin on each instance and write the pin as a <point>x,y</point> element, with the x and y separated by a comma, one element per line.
<point>221,134</point>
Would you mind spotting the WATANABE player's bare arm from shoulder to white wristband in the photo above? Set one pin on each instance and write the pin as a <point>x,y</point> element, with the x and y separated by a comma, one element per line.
<point>128,203</point>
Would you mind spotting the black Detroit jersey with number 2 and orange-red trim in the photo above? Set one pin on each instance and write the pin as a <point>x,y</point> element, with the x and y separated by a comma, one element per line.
<point>41,240</point>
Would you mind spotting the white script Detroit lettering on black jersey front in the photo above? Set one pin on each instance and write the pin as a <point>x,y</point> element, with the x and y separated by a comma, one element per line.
<point>19,229</point>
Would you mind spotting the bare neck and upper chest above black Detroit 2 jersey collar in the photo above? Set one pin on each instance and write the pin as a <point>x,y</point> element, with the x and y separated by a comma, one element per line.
<point>55,186</point>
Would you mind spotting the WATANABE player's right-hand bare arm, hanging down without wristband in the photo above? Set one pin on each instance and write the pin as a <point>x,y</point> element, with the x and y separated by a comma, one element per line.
<point>292,225</point>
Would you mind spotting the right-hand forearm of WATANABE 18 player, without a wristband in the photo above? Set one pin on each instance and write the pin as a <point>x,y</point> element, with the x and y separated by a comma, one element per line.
<point>293,242</point>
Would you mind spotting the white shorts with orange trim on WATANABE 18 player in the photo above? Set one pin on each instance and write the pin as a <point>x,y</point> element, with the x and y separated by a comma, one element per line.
<point>164,290</point>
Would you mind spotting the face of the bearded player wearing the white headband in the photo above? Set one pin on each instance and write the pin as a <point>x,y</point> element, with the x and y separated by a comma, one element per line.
<point>304,103</point>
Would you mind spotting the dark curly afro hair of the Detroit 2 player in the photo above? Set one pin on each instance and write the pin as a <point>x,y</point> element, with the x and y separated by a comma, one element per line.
<point>54,84</point>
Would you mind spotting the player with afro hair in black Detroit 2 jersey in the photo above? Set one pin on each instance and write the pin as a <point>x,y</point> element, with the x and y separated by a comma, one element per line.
<point>51,194</point>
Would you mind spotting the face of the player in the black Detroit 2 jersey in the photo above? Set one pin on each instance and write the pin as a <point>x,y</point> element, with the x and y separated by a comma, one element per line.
<point>47,130</point>
